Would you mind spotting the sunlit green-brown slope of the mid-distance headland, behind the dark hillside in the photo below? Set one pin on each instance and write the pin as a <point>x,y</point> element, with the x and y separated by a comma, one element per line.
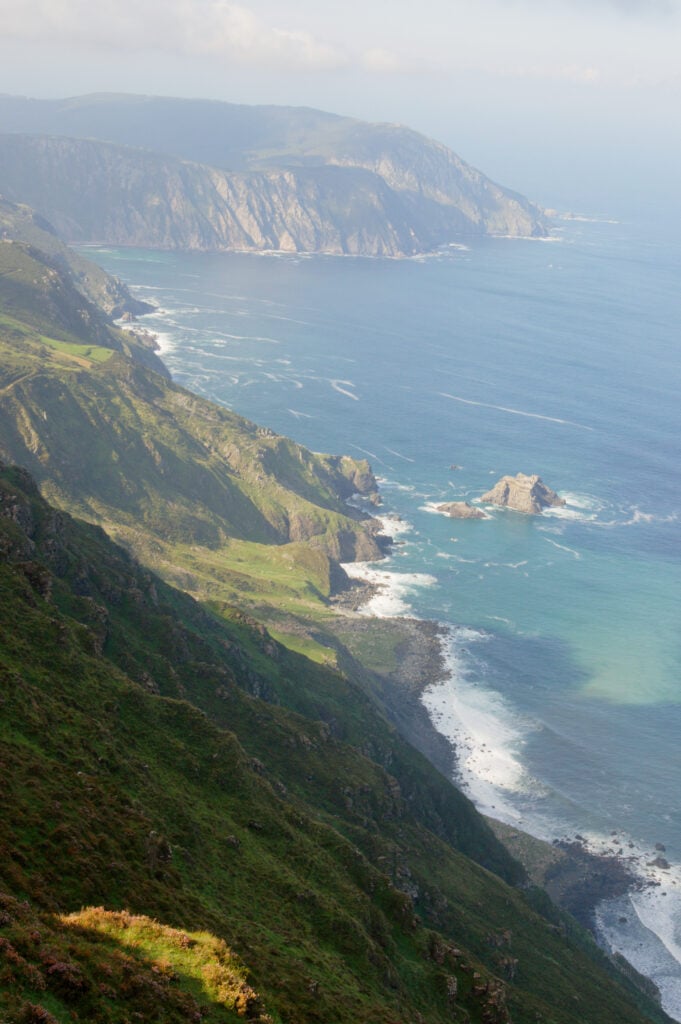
<point>196,491</point>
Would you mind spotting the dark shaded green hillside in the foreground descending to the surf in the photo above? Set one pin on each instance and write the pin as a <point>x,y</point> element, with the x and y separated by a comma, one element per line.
<point>317,863</point>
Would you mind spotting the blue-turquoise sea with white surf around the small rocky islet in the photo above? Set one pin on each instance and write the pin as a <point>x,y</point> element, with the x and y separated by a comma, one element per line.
<point>557,357</point>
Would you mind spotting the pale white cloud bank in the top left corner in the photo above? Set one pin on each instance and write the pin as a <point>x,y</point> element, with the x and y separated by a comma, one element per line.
<point>193,28</point>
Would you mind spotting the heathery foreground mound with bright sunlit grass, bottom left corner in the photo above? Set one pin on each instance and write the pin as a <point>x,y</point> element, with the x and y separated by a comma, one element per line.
<point>108,967</point>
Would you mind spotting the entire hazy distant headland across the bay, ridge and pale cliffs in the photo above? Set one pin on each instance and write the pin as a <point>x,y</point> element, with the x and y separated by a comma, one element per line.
<point>195,175</point>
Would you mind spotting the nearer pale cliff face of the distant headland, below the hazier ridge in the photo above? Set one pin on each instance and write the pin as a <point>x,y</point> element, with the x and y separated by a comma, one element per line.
<point>97,192</point>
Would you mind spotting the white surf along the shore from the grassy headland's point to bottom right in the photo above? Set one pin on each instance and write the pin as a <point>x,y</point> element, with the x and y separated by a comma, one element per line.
<point>626,891</point>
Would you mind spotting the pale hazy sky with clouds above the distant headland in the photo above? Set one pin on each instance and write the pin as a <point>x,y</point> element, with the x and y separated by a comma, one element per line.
<point>567,101</point>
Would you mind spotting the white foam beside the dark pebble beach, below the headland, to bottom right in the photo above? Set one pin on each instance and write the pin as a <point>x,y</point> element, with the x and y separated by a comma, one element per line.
<point>644,925</point>
